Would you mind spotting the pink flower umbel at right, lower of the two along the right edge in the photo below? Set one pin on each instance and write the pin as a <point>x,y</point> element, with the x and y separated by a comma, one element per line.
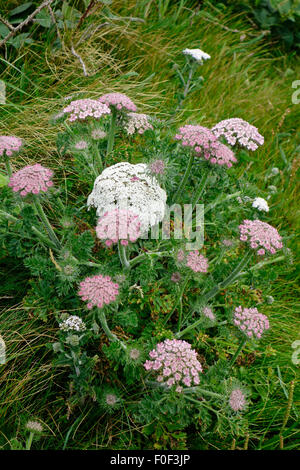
<point>250,322</point>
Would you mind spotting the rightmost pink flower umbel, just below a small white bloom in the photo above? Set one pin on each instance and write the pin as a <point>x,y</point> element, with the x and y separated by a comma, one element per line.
<point>261,236</point>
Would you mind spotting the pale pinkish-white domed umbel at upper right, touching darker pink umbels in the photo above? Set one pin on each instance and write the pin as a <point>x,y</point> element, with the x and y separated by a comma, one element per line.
<point>236,130</point>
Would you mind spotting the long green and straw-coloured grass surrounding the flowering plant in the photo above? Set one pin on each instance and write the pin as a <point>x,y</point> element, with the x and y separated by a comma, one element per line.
<point>249,78</point>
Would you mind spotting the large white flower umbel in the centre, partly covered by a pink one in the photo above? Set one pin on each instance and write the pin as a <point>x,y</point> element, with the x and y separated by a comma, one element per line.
<point>127,186</point>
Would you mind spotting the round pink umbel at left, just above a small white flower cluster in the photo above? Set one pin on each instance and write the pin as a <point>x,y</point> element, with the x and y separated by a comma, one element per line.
<point>98,290</point>
